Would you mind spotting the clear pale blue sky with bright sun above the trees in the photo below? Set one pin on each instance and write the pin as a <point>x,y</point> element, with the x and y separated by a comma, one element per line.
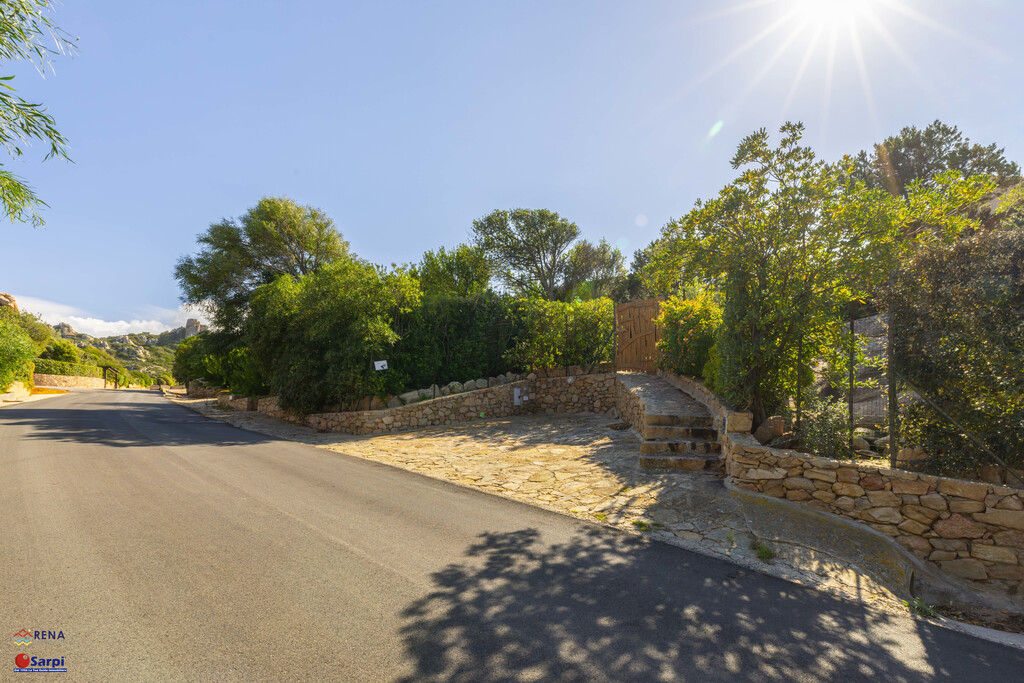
<point>405,121</point>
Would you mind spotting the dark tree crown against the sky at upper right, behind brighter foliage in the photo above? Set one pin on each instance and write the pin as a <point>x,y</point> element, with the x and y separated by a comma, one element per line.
<point>923,155</point>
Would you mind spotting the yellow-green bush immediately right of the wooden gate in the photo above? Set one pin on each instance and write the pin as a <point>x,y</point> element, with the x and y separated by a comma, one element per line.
<point>690,328</point>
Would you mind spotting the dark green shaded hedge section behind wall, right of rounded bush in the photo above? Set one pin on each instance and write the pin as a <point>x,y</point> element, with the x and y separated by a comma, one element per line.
<point>450,338</point>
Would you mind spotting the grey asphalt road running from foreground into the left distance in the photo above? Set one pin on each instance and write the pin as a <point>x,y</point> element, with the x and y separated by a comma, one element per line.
<point>166,547</point>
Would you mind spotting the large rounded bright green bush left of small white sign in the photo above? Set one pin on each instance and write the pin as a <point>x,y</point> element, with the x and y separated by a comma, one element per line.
<point>316,337</point>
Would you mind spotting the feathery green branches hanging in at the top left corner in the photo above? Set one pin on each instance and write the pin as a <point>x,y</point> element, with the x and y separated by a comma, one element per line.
<point>26,32</point>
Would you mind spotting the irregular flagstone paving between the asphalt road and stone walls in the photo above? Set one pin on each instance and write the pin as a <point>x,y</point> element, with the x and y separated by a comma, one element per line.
<point>583,465</point>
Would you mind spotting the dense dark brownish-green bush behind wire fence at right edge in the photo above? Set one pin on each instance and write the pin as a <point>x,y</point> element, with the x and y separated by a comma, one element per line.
<point>958,313</point>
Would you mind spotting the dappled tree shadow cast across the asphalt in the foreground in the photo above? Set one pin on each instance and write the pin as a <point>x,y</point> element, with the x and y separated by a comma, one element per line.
<point>606,607</point>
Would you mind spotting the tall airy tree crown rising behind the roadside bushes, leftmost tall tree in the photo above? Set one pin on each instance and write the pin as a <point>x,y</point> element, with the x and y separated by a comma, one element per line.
<point>276,238</point>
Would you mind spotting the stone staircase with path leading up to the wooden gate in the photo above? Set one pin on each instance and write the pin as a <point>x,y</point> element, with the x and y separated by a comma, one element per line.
<point>677,432</point>
